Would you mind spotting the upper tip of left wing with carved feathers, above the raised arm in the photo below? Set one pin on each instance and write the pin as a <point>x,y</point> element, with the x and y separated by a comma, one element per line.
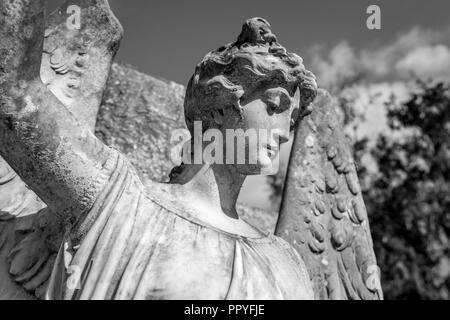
<point>76,62</point>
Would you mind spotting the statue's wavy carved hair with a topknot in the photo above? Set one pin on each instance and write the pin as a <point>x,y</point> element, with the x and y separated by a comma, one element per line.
<point>226,74</point>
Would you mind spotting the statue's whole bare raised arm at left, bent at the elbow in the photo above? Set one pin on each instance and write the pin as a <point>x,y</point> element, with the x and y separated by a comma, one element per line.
<point>59,158</point>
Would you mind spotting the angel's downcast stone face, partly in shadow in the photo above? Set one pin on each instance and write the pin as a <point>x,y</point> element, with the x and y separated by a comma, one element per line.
<point>267,117</point>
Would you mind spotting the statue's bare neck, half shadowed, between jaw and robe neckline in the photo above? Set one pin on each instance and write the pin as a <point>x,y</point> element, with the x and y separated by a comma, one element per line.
<point>217,185</point>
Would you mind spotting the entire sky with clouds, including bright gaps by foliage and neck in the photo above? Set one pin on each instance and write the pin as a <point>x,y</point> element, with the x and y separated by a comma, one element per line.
<point>166,39</point>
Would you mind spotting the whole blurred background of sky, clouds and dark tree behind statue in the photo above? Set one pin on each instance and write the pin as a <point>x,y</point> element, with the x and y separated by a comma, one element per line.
<point>393,90</point>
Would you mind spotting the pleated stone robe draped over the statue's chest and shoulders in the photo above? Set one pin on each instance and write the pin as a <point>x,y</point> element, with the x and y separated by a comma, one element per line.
<point>137,242</point>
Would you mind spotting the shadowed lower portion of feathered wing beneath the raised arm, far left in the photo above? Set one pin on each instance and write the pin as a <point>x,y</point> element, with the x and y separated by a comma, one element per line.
<point>25,259</point>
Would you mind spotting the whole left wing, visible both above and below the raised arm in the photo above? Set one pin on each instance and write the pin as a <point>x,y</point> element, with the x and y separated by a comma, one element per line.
<point>81,39</point>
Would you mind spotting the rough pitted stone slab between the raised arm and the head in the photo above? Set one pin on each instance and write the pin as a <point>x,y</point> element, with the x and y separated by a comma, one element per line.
<point>137,116</point>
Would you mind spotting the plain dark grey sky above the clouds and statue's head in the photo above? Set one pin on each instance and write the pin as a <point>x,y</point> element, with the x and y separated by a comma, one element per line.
<point>167,38</point>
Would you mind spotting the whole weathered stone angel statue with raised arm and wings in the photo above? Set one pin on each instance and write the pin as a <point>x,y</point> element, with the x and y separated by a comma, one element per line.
<point>123,239</point>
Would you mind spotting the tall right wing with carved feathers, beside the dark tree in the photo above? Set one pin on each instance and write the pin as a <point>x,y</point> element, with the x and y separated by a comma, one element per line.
<point>323,213</point>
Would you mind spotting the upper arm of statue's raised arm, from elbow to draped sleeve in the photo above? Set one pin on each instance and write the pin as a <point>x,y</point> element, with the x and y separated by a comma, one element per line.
<point>55,155</point>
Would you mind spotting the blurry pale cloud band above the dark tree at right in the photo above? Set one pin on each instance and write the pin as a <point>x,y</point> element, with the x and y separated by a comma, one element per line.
<point>419,52</point>
